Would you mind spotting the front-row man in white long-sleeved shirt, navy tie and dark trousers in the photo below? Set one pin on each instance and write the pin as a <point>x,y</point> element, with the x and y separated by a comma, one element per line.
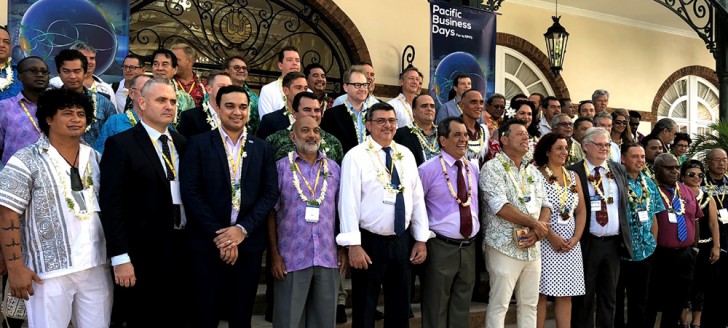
<point>381,207</point>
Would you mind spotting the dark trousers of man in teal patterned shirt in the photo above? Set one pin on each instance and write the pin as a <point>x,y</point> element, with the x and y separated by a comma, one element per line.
<point>634,278</point>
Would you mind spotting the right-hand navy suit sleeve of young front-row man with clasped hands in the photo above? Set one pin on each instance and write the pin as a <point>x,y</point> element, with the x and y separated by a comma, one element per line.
<point>268,196</point>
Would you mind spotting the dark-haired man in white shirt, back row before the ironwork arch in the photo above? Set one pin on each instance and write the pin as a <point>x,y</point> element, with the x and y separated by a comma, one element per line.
<point>271,95</point>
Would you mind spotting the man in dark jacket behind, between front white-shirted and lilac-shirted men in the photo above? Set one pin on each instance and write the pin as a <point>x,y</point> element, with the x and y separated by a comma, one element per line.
<point>421,137</point>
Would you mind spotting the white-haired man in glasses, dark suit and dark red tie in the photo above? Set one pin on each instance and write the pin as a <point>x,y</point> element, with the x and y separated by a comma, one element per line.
<point>606,235</point>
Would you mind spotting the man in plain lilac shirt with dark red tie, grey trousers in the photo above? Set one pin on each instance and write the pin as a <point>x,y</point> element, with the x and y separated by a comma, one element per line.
<point>450,184</point>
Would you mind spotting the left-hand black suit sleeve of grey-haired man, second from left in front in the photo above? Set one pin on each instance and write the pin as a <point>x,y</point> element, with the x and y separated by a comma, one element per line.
<point>113,175</point>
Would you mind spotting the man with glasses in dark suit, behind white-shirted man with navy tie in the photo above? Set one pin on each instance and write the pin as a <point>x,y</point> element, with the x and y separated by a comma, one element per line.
<point>346,121</point>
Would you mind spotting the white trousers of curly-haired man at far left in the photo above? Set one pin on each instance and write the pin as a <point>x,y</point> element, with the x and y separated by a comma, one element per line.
<point>83,298</point>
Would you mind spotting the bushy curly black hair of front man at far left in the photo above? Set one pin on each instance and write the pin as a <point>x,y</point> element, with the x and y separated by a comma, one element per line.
<point>52,100</point>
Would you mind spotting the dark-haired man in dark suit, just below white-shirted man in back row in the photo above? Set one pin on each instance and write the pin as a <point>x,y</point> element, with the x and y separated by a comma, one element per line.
<point>293,83</point>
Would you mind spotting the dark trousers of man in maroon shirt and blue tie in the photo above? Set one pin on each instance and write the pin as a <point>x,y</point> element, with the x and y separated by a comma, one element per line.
<point>672,276</point>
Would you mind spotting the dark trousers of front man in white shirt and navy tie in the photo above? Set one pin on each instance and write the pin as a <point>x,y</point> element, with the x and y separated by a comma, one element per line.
<point>390,269</point>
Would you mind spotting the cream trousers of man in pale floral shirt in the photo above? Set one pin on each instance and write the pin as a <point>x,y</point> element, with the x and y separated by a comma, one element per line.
<point>506,275</point>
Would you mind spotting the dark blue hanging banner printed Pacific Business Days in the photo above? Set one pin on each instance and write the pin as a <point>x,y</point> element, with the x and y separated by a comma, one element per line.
<point>462,42</point>
